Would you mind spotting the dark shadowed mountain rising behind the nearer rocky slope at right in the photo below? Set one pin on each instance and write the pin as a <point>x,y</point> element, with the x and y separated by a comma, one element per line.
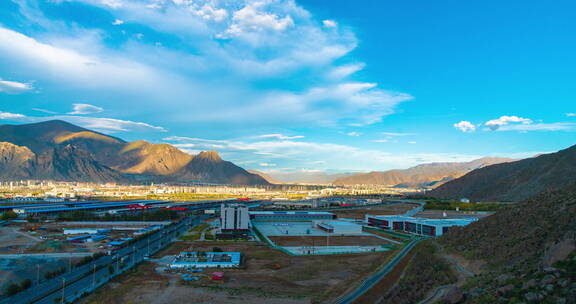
<point>516,180</point>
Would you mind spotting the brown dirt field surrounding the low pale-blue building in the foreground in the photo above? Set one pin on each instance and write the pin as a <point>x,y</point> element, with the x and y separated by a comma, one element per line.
<point>270,276</point>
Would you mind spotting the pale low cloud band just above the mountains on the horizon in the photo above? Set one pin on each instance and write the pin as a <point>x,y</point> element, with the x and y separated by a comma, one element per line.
<point>320,156</point>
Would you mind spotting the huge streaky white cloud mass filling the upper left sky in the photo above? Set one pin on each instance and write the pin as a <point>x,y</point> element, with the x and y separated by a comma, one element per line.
<point>276,42</point>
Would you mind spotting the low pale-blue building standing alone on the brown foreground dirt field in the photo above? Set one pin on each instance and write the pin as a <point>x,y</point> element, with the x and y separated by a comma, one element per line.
<point>206,259</point>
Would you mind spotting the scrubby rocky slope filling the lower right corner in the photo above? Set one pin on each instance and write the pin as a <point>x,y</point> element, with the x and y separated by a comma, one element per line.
<point>528,250</point>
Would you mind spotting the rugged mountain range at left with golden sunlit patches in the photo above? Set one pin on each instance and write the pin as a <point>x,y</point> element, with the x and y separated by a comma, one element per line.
<point>59,150</point>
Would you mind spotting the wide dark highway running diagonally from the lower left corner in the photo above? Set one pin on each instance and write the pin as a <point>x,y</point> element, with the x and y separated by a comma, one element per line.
<point>72,285</point>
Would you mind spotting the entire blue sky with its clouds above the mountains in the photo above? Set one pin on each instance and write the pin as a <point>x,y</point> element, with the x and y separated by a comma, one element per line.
<point>299,85</point>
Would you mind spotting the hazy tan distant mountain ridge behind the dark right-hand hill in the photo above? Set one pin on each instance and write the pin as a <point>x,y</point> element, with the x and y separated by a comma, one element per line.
<point>425,175</point>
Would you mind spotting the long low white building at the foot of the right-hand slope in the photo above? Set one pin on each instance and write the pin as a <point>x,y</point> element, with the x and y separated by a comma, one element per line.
<point>416,225</point>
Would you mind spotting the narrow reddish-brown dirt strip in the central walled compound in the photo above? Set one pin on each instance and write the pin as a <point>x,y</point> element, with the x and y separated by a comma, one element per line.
<point>331,241</point>
